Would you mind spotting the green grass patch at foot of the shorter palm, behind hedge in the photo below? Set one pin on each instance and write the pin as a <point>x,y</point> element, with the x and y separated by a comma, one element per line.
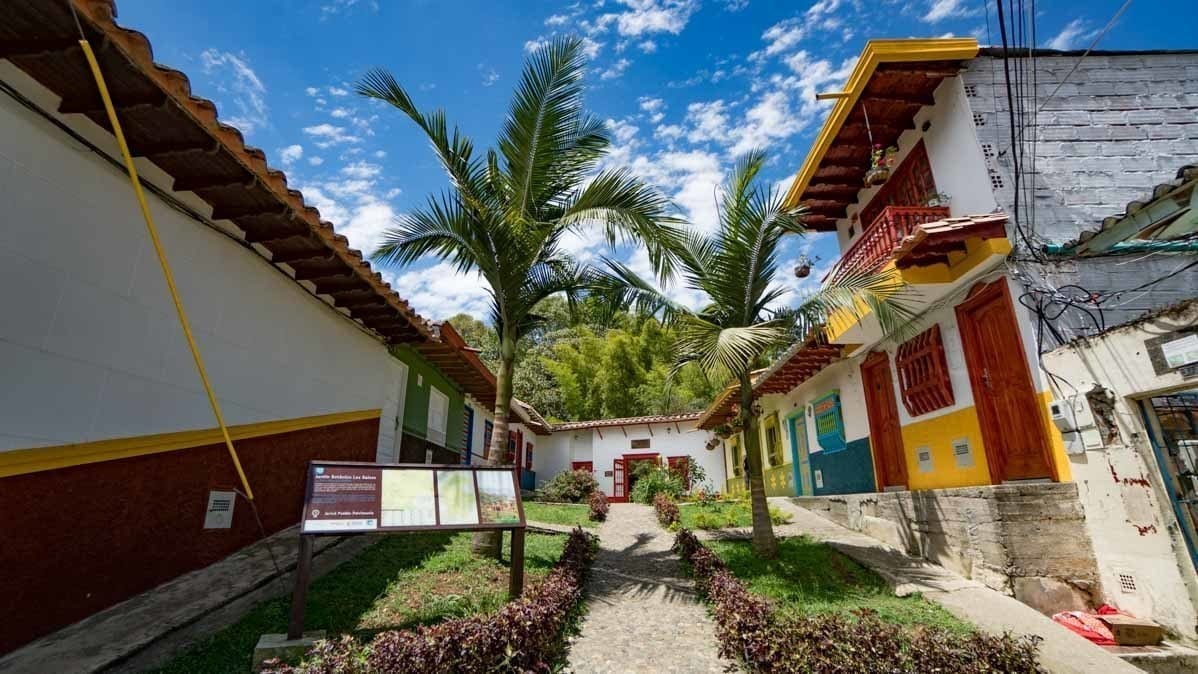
<point>809,578</point>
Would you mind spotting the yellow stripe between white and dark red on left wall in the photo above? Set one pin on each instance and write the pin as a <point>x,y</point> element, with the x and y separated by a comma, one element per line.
<point>22,462</point>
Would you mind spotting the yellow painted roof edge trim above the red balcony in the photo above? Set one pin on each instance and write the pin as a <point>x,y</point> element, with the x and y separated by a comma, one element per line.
<point>876,52</point>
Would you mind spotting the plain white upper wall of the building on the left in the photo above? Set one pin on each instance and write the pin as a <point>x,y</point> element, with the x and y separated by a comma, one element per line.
<point>90,348</point>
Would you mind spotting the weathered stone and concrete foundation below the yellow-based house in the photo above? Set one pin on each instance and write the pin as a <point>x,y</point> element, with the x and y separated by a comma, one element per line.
<point>1028,542</point>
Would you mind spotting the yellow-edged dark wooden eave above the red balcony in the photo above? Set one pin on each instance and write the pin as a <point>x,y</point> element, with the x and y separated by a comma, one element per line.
<point>892,82</point>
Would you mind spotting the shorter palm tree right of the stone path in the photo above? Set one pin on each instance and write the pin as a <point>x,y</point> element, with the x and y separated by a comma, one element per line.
<point>735,269</point>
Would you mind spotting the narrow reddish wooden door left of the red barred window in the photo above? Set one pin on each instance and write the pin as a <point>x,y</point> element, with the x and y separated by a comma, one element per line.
<point>886,434</point>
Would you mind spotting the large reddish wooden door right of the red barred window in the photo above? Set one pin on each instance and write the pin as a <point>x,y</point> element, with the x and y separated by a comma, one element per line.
<point>1008,408</point>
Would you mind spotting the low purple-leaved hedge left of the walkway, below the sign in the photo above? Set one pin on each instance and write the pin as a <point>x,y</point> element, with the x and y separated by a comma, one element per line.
<point>523,636</point>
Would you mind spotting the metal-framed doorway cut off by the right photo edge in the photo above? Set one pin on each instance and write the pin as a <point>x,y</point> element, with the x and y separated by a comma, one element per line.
<point>1172,422</point>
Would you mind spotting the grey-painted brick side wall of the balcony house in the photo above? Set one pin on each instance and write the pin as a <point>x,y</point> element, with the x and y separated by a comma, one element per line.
<point>1118,126</point>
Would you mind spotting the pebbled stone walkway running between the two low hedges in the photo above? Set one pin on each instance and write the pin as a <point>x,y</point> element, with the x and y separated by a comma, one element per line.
<point>643,616</point>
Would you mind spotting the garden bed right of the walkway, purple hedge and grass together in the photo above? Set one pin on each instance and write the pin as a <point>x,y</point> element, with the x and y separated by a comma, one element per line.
<point>849,624</point>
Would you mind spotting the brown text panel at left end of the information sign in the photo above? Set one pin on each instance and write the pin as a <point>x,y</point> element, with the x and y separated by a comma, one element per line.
<point>342,499</point>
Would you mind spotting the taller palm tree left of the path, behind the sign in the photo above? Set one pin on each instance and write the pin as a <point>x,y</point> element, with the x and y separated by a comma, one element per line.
<point>506,214</point>
